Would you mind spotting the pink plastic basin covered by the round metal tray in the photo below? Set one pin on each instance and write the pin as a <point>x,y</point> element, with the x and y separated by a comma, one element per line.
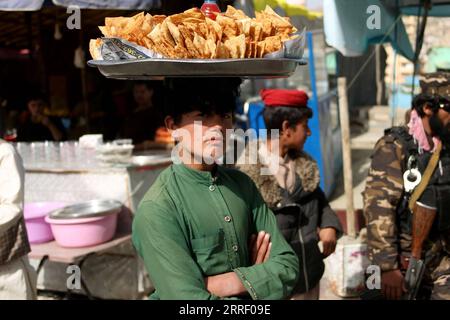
<point>83,232</point>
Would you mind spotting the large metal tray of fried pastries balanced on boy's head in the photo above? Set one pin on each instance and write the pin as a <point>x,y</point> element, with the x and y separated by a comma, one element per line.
<point>150,68</point>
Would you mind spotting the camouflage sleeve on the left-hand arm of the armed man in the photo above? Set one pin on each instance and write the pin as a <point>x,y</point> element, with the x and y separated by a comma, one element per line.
<point>383,192</point>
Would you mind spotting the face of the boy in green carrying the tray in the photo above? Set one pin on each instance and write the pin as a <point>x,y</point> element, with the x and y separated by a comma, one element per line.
<point>202,136</point>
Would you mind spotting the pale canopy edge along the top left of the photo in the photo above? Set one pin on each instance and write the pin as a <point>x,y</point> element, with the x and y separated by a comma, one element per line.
<point>34,5</point>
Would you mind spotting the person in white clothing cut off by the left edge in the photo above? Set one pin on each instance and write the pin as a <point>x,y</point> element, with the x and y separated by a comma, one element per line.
<point>17,277</point>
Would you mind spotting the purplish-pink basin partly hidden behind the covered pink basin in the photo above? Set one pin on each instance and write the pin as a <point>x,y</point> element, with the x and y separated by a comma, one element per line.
<point>38,229</point>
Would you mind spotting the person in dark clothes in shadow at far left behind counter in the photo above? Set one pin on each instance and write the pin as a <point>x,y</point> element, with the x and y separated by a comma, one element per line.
<point>34,125</point>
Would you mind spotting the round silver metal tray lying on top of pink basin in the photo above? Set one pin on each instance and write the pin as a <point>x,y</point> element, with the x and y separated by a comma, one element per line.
<point>94,208</point>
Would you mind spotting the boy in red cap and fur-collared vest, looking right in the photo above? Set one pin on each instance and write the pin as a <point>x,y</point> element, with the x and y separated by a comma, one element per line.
<point>292,188</point>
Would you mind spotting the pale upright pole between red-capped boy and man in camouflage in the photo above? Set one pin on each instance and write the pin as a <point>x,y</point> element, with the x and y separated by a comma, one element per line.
<point>346,153</point>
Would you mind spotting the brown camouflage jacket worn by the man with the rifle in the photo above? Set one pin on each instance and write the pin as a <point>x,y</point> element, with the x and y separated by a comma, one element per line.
<point>389,229</point>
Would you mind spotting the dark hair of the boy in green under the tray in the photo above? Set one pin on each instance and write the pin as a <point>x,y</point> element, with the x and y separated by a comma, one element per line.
<point>207,95</point>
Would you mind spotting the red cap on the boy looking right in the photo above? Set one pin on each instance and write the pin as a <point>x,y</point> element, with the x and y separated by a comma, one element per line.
<point>284,98</point>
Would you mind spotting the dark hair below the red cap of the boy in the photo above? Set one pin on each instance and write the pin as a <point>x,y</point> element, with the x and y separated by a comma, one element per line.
<point>274,116</point>
